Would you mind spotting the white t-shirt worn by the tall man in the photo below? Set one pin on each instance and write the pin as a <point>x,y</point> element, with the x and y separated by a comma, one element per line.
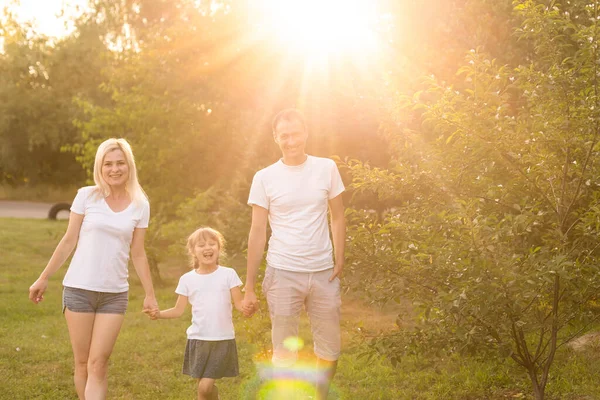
<point>297,200</point>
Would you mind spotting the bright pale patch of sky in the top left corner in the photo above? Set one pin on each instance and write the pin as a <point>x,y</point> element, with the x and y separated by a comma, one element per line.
<point>44,13</point>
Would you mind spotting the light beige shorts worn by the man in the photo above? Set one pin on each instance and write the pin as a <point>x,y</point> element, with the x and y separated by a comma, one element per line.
<point>287,292</point>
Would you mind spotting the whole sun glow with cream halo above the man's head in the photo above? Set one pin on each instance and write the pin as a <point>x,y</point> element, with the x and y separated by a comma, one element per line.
<point>319,53</point>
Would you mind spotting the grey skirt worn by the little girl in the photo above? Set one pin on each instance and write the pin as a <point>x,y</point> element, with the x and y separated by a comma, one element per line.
<point>210,359</point>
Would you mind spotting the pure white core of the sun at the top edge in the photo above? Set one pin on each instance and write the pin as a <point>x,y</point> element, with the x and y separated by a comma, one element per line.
<point>322,27</point>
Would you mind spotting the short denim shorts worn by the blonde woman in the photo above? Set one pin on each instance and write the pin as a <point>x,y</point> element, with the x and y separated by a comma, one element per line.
<point>88,301</point>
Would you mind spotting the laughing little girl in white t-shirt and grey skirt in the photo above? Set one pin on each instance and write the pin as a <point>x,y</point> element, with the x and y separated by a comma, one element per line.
<point>210,353</point>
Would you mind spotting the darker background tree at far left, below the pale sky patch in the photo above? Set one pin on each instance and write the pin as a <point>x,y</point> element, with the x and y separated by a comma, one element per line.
<point>38,80</point>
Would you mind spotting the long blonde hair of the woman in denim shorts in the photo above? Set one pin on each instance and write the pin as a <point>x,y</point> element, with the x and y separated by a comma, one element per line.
<point>132,186</point>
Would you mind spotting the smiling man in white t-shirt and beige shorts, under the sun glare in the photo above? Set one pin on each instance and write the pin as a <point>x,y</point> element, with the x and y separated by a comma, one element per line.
<point>293,195</point>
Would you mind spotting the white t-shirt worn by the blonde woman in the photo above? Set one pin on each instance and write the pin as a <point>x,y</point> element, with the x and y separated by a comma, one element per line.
<point>102,254</point>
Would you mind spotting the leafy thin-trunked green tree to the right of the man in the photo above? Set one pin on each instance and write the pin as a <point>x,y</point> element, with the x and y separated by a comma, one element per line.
<point>495,236</point>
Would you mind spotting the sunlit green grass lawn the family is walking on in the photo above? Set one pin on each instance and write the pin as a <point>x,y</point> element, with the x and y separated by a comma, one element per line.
<point>36,359</point>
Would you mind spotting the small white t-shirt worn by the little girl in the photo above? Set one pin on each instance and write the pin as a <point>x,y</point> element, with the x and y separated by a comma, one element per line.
<point>210,297</point>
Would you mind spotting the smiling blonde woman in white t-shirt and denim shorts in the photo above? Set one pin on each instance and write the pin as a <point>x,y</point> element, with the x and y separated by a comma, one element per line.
<point>108,221</point>
